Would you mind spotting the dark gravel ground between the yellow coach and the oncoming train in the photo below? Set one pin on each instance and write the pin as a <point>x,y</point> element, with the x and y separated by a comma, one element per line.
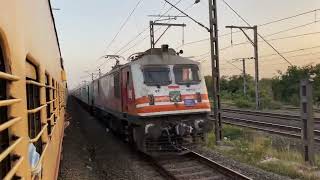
<point>90,152</point>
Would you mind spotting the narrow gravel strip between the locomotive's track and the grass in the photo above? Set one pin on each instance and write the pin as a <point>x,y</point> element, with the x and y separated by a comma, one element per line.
<point>250,171</point>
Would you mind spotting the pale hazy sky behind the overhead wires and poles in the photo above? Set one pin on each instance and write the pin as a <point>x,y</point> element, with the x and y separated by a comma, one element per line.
<point>87,28</point>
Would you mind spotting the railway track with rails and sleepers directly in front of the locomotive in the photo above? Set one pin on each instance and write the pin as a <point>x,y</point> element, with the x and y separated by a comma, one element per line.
<point>192,166</point>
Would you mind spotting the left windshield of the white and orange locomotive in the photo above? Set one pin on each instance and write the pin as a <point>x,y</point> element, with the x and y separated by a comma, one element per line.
<point>156,76</point>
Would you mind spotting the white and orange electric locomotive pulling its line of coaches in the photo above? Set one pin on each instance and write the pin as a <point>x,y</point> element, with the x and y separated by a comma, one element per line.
<point>158,100</point>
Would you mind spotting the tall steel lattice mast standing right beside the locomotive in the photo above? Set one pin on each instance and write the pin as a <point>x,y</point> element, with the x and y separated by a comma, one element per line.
<point>214,45</point>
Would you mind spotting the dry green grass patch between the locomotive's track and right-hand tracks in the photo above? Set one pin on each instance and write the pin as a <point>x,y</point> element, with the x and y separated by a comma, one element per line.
<point>259,150</point>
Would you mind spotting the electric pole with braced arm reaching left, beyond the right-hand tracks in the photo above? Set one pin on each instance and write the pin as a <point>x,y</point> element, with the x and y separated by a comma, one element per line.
<point>256,57</point>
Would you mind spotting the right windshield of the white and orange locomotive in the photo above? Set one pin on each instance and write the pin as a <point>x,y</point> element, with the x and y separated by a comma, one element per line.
<point>186,74</point>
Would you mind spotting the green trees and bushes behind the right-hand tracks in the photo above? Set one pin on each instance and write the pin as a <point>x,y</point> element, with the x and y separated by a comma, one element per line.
<point>283,88</point>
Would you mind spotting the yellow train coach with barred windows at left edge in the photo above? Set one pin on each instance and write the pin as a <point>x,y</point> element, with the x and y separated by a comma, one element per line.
<point>32,91</point>
